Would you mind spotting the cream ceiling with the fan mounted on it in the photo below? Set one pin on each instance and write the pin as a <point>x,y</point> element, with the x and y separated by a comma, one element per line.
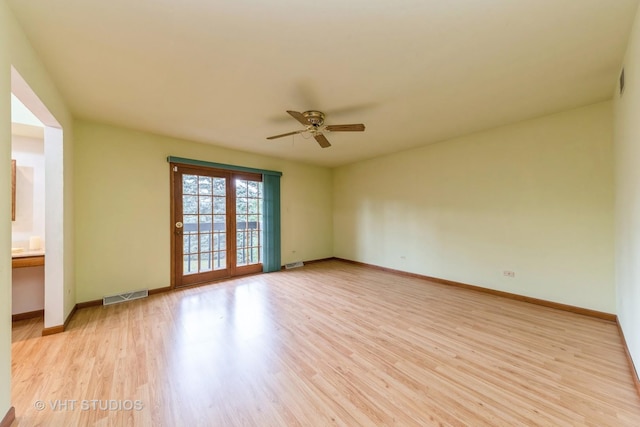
<point>413,71</point>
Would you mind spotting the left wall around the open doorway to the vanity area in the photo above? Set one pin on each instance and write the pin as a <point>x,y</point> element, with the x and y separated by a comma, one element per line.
<point>15,50</point>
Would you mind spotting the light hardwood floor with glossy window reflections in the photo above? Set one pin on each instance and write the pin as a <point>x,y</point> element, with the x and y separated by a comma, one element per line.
<point>328,344</point>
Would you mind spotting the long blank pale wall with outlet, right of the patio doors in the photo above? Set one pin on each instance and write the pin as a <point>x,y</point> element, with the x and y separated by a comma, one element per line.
<point>534,197</point>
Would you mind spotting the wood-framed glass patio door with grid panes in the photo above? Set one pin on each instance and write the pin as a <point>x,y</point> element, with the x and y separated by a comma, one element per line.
<point>217,224</point>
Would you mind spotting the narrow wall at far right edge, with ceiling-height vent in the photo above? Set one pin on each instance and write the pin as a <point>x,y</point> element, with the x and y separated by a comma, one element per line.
<point>627,196</point>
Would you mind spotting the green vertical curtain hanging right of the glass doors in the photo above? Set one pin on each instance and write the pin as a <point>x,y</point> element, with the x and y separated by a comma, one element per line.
<point>271,216</point>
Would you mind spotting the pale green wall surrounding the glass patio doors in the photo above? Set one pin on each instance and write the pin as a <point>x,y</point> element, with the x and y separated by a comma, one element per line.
<point>122,206</point>
